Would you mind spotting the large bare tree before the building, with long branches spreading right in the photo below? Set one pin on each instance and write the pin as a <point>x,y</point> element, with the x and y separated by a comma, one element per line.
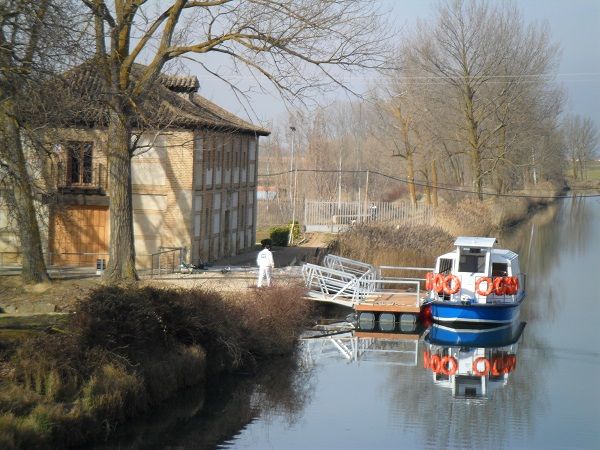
<point>293,44</point>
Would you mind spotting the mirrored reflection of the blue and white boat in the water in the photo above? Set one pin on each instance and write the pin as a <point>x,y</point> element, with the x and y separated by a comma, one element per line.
<point>473,363</point>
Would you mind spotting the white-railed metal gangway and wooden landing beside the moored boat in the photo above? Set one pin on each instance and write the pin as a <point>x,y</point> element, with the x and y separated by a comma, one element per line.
<point>349,282</point>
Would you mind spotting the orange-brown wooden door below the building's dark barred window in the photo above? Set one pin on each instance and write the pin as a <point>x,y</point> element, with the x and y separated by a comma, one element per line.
<point>80,235</point>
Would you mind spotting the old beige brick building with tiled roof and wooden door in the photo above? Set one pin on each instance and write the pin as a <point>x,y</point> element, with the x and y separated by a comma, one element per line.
<point>194,176</point>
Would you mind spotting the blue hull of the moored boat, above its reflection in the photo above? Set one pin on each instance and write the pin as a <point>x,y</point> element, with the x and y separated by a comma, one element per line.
<point>475,314</point>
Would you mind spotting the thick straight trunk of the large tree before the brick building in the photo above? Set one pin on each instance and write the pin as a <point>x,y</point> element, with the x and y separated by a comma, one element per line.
<point>121,264</point>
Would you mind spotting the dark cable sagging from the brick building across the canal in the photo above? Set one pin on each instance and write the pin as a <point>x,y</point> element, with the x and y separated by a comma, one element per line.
<point>435,186</point>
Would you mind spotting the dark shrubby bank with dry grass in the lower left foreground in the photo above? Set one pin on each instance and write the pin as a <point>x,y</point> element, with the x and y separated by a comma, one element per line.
<point>126,350</point>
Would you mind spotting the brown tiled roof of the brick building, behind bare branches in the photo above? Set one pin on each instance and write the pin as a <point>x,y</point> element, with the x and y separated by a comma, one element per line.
<point>173,102</point>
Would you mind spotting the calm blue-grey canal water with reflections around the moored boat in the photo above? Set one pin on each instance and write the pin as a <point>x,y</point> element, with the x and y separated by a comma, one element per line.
<point>352,392</point>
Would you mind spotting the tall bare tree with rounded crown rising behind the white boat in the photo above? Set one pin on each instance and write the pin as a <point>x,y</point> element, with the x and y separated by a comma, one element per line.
<point>488,72</point>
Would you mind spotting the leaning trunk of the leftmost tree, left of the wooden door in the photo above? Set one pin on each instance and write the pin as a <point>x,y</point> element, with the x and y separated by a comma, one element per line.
<point>21,197</point>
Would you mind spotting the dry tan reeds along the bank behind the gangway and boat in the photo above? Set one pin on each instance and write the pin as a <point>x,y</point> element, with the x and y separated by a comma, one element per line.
<point>418,245</point>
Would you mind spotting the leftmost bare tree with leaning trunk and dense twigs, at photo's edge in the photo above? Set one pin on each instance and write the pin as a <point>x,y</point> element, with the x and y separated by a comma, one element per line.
<point>33,45</point>
